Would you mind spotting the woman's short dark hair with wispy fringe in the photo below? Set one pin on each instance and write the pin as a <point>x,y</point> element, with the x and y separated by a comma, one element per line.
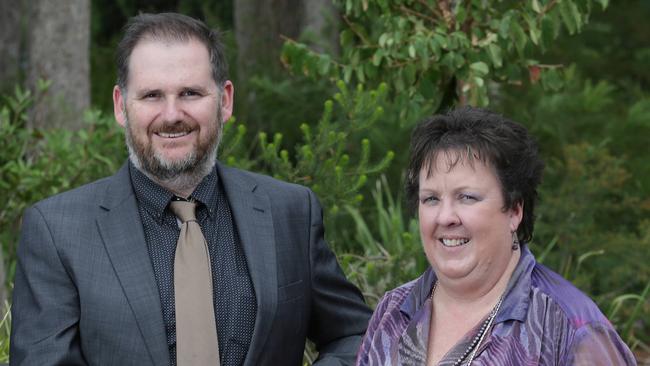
<point>498,142</point>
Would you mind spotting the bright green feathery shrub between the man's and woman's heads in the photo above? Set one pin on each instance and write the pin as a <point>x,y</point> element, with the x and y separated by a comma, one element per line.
<point>331,157</point>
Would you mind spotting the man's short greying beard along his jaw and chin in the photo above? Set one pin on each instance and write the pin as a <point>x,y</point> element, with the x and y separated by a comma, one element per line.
<point>175,175</point>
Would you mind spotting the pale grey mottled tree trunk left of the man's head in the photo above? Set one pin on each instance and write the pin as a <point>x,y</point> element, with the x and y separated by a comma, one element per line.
<point>58,51</point>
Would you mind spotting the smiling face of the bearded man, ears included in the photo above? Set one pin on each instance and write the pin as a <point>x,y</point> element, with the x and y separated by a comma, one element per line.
<point>173,111</point>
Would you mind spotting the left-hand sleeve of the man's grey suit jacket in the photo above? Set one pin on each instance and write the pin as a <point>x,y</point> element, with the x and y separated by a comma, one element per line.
<point>45,308</point>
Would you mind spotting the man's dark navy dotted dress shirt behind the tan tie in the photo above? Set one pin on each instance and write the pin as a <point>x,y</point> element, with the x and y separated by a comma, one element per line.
<point>234,297</point>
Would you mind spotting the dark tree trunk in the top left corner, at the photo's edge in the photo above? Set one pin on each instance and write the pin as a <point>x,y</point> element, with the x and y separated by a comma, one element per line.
<point>10,41</point>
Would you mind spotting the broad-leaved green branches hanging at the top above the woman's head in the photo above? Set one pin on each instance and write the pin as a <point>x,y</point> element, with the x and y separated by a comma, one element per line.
<point>424,47</point>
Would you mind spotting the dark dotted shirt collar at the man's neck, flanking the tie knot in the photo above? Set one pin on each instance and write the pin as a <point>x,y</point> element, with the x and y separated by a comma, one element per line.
<point>155,198</point>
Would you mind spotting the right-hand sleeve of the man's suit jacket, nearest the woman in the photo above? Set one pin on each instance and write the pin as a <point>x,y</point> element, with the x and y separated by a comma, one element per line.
<point>339,315</point>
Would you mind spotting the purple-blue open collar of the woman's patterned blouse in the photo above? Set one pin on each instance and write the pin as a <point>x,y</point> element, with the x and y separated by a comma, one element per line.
<point>515,303</point>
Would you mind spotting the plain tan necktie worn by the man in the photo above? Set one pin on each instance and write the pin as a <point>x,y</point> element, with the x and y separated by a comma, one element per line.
<point>196,331</point>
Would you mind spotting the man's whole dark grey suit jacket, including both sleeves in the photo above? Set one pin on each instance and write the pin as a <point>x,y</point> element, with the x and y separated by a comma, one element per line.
<point>85,291</point>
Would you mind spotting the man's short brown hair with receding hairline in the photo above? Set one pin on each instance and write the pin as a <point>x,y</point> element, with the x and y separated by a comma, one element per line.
<point>169,27</point>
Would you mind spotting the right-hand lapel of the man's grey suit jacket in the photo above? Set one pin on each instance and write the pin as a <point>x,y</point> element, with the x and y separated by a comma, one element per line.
<point>254,222</point>
